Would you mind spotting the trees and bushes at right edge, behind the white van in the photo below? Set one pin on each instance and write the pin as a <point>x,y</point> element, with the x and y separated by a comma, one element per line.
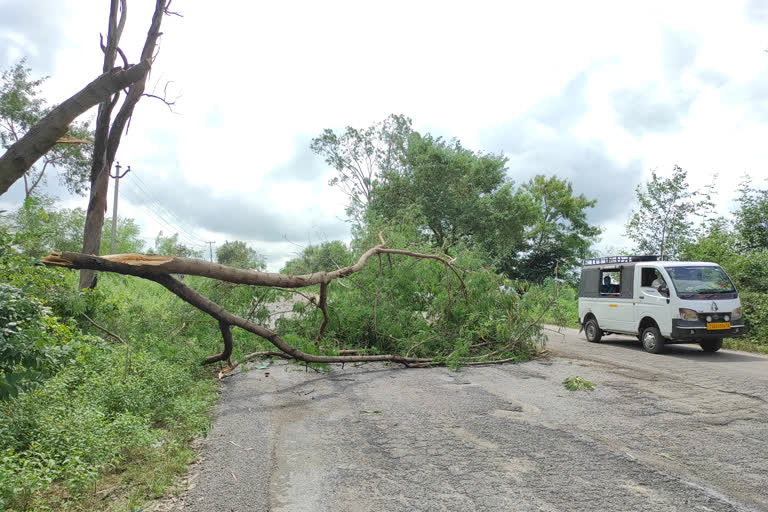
<point>675,220</point>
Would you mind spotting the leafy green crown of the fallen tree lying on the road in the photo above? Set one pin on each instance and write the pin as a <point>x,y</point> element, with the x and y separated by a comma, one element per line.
<point>417,307</point>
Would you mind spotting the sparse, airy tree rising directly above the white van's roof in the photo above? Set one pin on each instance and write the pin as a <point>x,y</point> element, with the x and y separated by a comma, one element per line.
<point>664,219</point>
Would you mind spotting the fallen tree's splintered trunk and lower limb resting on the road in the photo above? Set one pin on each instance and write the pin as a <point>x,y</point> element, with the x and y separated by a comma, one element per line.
<point>84,261</point>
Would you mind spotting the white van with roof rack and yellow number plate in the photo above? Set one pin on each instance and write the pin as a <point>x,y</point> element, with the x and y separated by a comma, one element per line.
<point>660,302</point>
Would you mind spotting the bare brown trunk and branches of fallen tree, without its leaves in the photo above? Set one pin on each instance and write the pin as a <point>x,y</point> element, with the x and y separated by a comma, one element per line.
<point>160,268</point>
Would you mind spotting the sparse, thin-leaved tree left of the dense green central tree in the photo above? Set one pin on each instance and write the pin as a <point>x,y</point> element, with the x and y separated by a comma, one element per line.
<point>363,157</point>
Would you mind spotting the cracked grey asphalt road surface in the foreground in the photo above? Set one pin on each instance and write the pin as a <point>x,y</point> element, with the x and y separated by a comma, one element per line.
<point>683,431</point>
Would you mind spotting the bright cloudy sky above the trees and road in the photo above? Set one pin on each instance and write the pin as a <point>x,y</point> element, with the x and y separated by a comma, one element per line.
<point>599,93</point>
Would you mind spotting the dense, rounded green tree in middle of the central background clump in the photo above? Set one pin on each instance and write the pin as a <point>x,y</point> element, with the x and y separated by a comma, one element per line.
<point>454,193</point>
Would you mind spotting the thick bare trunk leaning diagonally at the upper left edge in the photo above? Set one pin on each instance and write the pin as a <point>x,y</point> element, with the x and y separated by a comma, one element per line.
<point>44,135</point>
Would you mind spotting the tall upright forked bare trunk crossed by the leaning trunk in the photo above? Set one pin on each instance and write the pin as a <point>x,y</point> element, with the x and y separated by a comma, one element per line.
<point>108,138</point>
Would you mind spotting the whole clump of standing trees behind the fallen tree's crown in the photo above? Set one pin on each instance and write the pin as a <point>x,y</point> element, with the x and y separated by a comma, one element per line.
<point>455,195</point>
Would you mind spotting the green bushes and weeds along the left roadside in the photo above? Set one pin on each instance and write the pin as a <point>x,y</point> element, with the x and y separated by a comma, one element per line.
<point>76,409</point>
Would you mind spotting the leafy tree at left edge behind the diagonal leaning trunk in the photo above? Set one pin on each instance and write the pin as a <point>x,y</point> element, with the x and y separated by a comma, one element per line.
<point>20,109</point>
